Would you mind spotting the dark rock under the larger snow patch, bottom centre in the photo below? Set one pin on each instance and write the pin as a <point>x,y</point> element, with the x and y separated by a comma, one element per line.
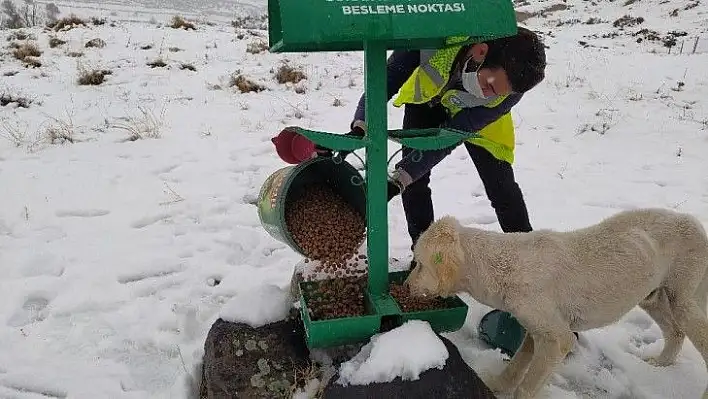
<point>455,380</point>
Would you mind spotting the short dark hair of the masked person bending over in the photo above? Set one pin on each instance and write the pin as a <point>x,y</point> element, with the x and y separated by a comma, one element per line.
<point>522,56</point>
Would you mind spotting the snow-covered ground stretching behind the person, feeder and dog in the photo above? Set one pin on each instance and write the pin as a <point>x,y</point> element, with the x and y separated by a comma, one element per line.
<point>116,256</point>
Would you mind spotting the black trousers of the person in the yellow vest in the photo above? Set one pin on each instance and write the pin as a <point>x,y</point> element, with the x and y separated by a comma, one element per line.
<point>497,177</point>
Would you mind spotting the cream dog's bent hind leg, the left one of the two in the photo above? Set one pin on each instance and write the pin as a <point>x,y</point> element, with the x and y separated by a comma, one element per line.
<point>658,307</point>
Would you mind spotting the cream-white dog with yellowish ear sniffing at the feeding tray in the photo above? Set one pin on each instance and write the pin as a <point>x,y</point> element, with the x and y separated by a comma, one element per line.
<point>555,283</point>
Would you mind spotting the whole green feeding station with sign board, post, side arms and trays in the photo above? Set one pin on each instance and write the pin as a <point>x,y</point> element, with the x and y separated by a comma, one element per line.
<point>375,27</point>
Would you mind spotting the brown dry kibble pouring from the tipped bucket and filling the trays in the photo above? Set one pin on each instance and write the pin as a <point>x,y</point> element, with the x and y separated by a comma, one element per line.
<point>330,231</point>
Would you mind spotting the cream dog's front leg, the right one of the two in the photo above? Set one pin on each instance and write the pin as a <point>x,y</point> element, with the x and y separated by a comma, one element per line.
<point>552,342</point>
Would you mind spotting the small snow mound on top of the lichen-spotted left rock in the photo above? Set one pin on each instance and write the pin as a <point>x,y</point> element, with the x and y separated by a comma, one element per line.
<point>258,306</point>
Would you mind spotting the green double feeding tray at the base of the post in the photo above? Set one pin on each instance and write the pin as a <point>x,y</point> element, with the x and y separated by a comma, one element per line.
<point>378,315</point>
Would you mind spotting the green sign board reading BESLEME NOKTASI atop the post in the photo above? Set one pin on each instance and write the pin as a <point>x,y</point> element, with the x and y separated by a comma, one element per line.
<point>344,25</point>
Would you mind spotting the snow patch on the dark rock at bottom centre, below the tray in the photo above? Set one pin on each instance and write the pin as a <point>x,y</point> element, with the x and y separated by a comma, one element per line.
<point>389,355</point>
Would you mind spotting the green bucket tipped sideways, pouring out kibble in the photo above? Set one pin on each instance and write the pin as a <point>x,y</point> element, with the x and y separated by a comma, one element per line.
<point>285,185</point>
